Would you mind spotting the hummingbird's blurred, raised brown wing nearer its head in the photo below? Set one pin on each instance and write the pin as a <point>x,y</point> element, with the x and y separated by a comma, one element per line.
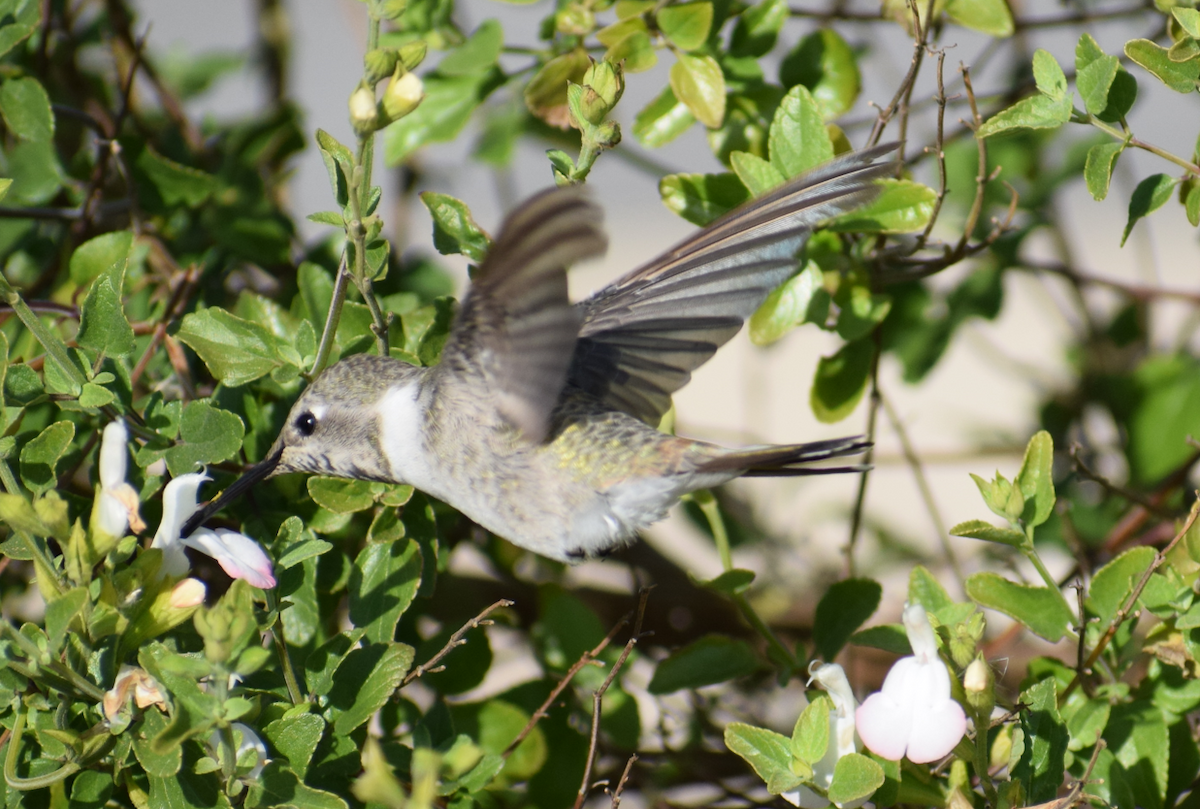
<point>518,326</point>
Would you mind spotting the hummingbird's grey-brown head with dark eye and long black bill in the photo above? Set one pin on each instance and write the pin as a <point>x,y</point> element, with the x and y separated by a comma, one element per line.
<point>333,429</point>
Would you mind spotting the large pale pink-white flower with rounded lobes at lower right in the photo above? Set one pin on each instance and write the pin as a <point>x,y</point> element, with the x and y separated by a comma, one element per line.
<point>914,715</point>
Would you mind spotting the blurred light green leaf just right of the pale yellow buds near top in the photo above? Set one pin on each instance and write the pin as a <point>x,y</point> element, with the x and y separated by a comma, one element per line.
<point>448,106</point>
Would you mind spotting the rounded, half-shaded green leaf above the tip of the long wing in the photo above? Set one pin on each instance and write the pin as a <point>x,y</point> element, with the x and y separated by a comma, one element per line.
<point>824,63</point>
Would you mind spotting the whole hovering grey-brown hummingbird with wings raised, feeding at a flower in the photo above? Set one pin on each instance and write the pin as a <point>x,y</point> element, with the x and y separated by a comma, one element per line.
<point>539,423</point>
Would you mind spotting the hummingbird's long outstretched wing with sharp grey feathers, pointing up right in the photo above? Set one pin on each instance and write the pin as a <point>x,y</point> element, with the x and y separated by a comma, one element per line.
<point>644,335</point>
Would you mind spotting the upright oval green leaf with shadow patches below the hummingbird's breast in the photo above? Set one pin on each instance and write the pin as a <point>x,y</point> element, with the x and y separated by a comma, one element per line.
<point>383,584</point>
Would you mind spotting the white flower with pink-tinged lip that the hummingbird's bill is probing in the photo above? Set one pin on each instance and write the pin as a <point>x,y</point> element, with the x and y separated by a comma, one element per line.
<point>241,556</point>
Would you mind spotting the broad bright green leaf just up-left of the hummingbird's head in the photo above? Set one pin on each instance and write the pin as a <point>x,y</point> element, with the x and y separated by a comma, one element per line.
<point>236,351</point>
